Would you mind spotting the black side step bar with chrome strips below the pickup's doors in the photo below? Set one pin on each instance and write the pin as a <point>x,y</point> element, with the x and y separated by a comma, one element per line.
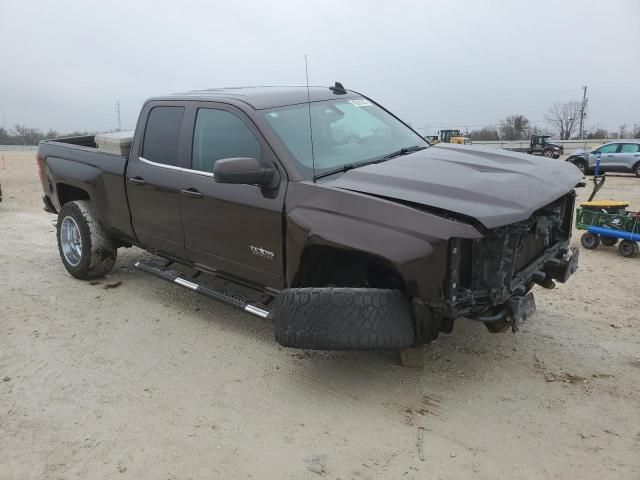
<point>215,293</point>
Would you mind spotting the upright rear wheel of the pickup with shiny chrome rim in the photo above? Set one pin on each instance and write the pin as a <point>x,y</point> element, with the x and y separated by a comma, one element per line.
<point>85,249</point>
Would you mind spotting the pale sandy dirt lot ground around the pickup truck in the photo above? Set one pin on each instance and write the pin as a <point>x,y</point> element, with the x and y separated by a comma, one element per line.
<point>147,380</point>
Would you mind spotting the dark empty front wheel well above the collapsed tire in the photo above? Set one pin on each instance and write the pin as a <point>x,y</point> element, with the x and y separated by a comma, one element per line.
<point>322,266</point>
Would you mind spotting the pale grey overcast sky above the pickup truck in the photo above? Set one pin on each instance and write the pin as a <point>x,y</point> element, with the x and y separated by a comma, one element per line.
<point>64,63</point>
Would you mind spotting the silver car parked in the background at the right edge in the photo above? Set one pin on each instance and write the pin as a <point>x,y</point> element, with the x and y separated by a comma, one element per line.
<point>619,156</point>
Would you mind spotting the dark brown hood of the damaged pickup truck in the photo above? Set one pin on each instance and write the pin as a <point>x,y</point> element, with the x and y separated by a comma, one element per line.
<point>496,187</point>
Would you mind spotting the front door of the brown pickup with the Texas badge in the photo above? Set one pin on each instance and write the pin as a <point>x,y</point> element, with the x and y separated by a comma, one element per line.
<point>236,229</point>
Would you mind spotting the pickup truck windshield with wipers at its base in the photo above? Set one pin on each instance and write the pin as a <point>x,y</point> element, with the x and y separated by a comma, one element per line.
<point>345,132</point>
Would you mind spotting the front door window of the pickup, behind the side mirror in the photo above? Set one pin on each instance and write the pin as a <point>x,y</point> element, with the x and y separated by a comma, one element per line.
<point>220,134</point>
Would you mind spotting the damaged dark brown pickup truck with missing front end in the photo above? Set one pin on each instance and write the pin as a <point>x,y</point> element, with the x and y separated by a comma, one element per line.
<point>355,231</point>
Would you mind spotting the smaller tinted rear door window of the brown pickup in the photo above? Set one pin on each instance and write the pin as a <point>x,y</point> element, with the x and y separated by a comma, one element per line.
<point>161,135</point>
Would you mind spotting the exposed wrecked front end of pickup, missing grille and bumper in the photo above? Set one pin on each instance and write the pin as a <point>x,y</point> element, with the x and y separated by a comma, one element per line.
<point>490,279</point>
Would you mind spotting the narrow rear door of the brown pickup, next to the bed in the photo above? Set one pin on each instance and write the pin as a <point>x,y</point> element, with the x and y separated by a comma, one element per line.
<point>153,179</point>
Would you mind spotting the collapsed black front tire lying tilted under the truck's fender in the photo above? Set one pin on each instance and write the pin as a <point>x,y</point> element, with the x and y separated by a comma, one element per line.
<point>343,319</point>
